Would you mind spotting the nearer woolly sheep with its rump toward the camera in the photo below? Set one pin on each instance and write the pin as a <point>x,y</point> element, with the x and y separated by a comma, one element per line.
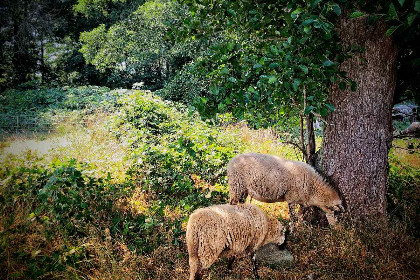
<point>226,231</point>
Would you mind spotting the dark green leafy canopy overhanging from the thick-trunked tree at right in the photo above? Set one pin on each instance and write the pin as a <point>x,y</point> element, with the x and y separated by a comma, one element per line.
<point>267,58</point>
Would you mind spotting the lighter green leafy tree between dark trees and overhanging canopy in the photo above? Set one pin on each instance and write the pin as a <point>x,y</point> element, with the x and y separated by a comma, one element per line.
<point>135,47</point>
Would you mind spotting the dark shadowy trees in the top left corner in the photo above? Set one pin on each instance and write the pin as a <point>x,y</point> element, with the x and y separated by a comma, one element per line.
<point>39,44</point>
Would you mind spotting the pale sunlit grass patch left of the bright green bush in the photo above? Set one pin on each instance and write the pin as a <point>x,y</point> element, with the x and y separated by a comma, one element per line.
<point>94,145</point>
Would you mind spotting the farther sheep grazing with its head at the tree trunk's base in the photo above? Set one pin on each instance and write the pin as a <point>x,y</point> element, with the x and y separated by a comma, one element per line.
<point>269,178</point>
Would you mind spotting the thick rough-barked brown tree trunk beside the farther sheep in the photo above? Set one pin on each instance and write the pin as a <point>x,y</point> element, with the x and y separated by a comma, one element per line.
<point>358,133</point>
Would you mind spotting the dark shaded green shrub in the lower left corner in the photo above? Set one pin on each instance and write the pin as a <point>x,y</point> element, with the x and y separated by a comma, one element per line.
<point>47,212</point>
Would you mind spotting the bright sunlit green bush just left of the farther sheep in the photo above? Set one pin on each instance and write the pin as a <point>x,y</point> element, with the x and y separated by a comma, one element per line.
<point>170,145</point>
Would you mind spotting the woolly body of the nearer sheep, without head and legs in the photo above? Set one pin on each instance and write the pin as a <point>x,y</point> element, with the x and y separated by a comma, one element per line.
<point>227,229</point>
